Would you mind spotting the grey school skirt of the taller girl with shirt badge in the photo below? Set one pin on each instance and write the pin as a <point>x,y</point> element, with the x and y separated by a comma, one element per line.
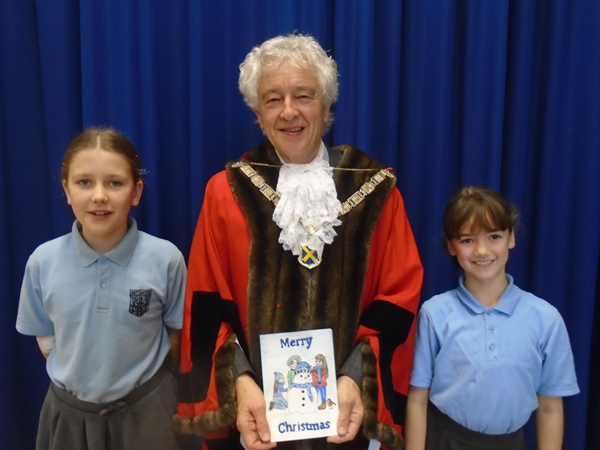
<point>139,421</point>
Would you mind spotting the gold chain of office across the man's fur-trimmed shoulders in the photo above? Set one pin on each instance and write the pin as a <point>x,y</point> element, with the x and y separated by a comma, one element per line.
<point>348,205</point>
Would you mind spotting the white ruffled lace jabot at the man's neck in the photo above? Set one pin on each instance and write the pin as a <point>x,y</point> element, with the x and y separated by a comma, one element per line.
<point>308,201</point>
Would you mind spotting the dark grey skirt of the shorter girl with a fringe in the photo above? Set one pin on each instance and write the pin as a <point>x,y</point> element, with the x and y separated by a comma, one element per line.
<point>443,433</point>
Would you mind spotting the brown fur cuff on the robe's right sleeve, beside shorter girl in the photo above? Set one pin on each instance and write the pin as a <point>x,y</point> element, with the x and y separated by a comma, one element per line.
<point>372,428</point>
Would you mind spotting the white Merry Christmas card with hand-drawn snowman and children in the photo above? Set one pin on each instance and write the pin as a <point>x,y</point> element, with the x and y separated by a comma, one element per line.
<point>299,383</point>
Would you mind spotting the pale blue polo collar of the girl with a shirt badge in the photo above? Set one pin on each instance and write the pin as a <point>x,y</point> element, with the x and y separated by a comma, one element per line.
<point>119,255</point>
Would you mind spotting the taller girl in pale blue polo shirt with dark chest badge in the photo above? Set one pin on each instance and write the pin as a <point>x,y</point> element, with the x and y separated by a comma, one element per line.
<point>106,304</point>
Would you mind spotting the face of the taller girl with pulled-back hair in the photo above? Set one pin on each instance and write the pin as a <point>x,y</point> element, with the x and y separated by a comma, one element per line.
<point>101,191</point>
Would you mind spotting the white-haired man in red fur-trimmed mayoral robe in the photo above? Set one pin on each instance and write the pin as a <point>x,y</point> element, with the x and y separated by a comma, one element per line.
<point>298,236</point>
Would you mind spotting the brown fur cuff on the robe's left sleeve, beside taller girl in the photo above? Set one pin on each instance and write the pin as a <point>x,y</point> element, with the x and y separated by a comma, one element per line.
<point>225,416</point>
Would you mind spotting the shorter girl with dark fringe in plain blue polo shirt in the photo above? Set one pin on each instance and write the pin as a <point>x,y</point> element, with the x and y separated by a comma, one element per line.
<point>487,354</point>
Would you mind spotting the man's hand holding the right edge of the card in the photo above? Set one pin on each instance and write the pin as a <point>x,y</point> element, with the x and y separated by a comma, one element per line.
<point>351,410</point>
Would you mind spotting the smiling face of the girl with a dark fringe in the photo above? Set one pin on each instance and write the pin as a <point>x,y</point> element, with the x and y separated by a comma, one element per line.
<point>482,255</point>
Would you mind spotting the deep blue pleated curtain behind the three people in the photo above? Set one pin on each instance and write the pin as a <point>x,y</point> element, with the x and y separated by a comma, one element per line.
<point>447,92</point>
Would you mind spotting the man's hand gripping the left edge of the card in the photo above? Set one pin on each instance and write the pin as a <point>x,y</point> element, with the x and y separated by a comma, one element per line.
<point>251,418</point>
